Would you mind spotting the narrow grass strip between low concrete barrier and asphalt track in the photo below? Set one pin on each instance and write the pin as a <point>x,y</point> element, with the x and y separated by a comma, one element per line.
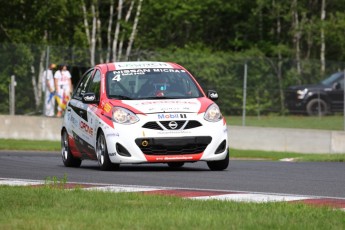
<point>30,145</point>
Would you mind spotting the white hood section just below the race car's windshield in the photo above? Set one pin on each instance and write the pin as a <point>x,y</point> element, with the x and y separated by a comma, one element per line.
<point>165,105</point>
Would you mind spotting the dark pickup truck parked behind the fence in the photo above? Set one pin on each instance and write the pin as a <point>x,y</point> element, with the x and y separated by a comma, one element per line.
<point>318,99</point>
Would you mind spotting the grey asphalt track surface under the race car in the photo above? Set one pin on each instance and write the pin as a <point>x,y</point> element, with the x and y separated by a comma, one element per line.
<point>326,179</point>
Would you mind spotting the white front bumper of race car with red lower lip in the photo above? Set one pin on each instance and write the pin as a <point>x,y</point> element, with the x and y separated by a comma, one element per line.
<point>140,143</point>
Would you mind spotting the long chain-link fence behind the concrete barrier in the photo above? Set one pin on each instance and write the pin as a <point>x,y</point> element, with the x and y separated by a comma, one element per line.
<point>254,86</point>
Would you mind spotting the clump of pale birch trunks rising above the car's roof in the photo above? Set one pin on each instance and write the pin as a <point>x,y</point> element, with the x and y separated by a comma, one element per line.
<point>115,37</point>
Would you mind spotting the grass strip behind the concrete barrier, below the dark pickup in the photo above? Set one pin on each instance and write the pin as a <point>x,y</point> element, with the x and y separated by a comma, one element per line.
<point>301,122</point>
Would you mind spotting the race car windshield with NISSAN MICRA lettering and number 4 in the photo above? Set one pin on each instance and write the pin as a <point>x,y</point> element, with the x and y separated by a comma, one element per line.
<point>134,84</point>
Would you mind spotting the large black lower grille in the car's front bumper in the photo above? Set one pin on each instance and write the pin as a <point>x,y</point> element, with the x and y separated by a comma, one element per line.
<point>173,146</point>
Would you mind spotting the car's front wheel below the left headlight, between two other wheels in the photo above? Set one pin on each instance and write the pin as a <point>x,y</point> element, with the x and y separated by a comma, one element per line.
<point>102,154</point>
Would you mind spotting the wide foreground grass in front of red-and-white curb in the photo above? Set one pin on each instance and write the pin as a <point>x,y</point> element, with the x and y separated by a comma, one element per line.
<point>53,208</point>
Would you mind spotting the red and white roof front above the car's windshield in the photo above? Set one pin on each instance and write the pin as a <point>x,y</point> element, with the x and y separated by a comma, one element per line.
<point>139,65</point>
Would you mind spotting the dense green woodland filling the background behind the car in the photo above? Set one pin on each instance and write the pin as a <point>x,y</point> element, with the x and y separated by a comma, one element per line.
<point>284,42</point>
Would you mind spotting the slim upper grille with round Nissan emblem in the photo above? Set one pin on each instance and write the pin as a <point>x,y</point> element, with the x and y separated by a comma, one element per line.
<point>165,125</point>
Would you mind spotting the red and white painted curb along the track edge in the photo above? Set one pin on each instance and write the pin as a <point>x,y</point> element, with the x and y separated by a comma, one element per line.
<point>238,196</point>
